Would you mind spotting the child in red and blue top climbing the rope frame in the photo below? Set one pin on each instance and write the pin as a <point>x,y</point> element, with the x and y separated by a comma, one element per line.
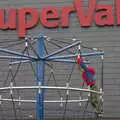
<point>88,76</point>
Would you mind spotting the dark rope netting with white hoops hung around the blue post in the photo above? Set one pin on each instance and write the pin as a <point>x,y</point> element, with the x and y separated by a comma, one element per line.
<point>61,101</point>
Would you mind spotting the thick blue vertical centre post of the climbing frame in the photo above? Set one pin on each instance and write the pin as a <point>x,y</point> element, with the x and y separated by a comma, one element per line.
<point>40,67</point>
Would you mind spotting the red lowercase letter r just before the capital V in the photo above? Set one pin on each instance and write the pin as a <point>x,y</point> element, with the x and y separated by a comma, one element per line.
<point>66,11</point>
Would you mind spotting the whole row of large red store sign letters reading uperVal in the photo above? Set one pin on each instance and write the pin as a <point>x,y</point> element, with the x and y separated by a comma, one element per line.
<point>51,17</point>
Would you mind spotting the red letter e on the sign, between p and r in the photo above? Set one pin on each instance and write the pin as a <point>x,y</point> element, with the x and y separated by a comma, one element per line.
<point>48,15</point>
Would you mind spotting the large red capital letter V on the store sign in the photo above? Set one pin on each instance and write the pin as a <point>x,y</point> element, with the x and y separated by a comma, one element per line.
<point>85,20</point>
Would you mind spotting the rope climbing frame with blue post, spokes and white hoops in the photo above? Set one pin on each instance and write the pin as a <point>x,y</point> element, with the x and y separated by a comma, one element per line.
<point>40,79</point>
